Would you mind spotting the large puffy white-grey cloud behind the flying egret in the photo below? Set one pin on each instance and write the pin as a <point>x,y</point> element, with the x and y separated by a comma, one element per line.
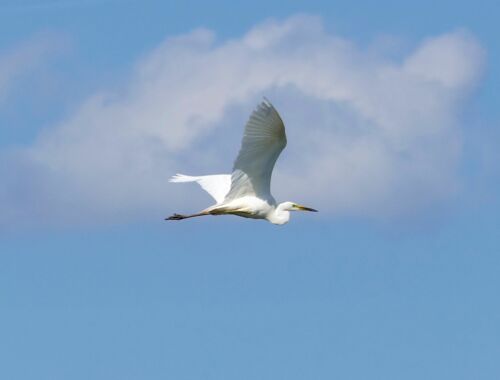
<point>368,135</point>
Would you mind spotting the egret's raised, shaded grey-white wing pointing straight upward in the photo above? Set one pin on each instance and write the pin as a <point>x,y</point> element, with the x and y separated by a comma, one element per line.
<point>263,140</point>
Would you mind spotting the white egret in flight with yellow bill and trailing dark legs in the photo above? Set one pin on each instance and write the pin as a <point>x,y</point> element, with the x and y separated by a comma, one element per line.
<point>247,191</point>
